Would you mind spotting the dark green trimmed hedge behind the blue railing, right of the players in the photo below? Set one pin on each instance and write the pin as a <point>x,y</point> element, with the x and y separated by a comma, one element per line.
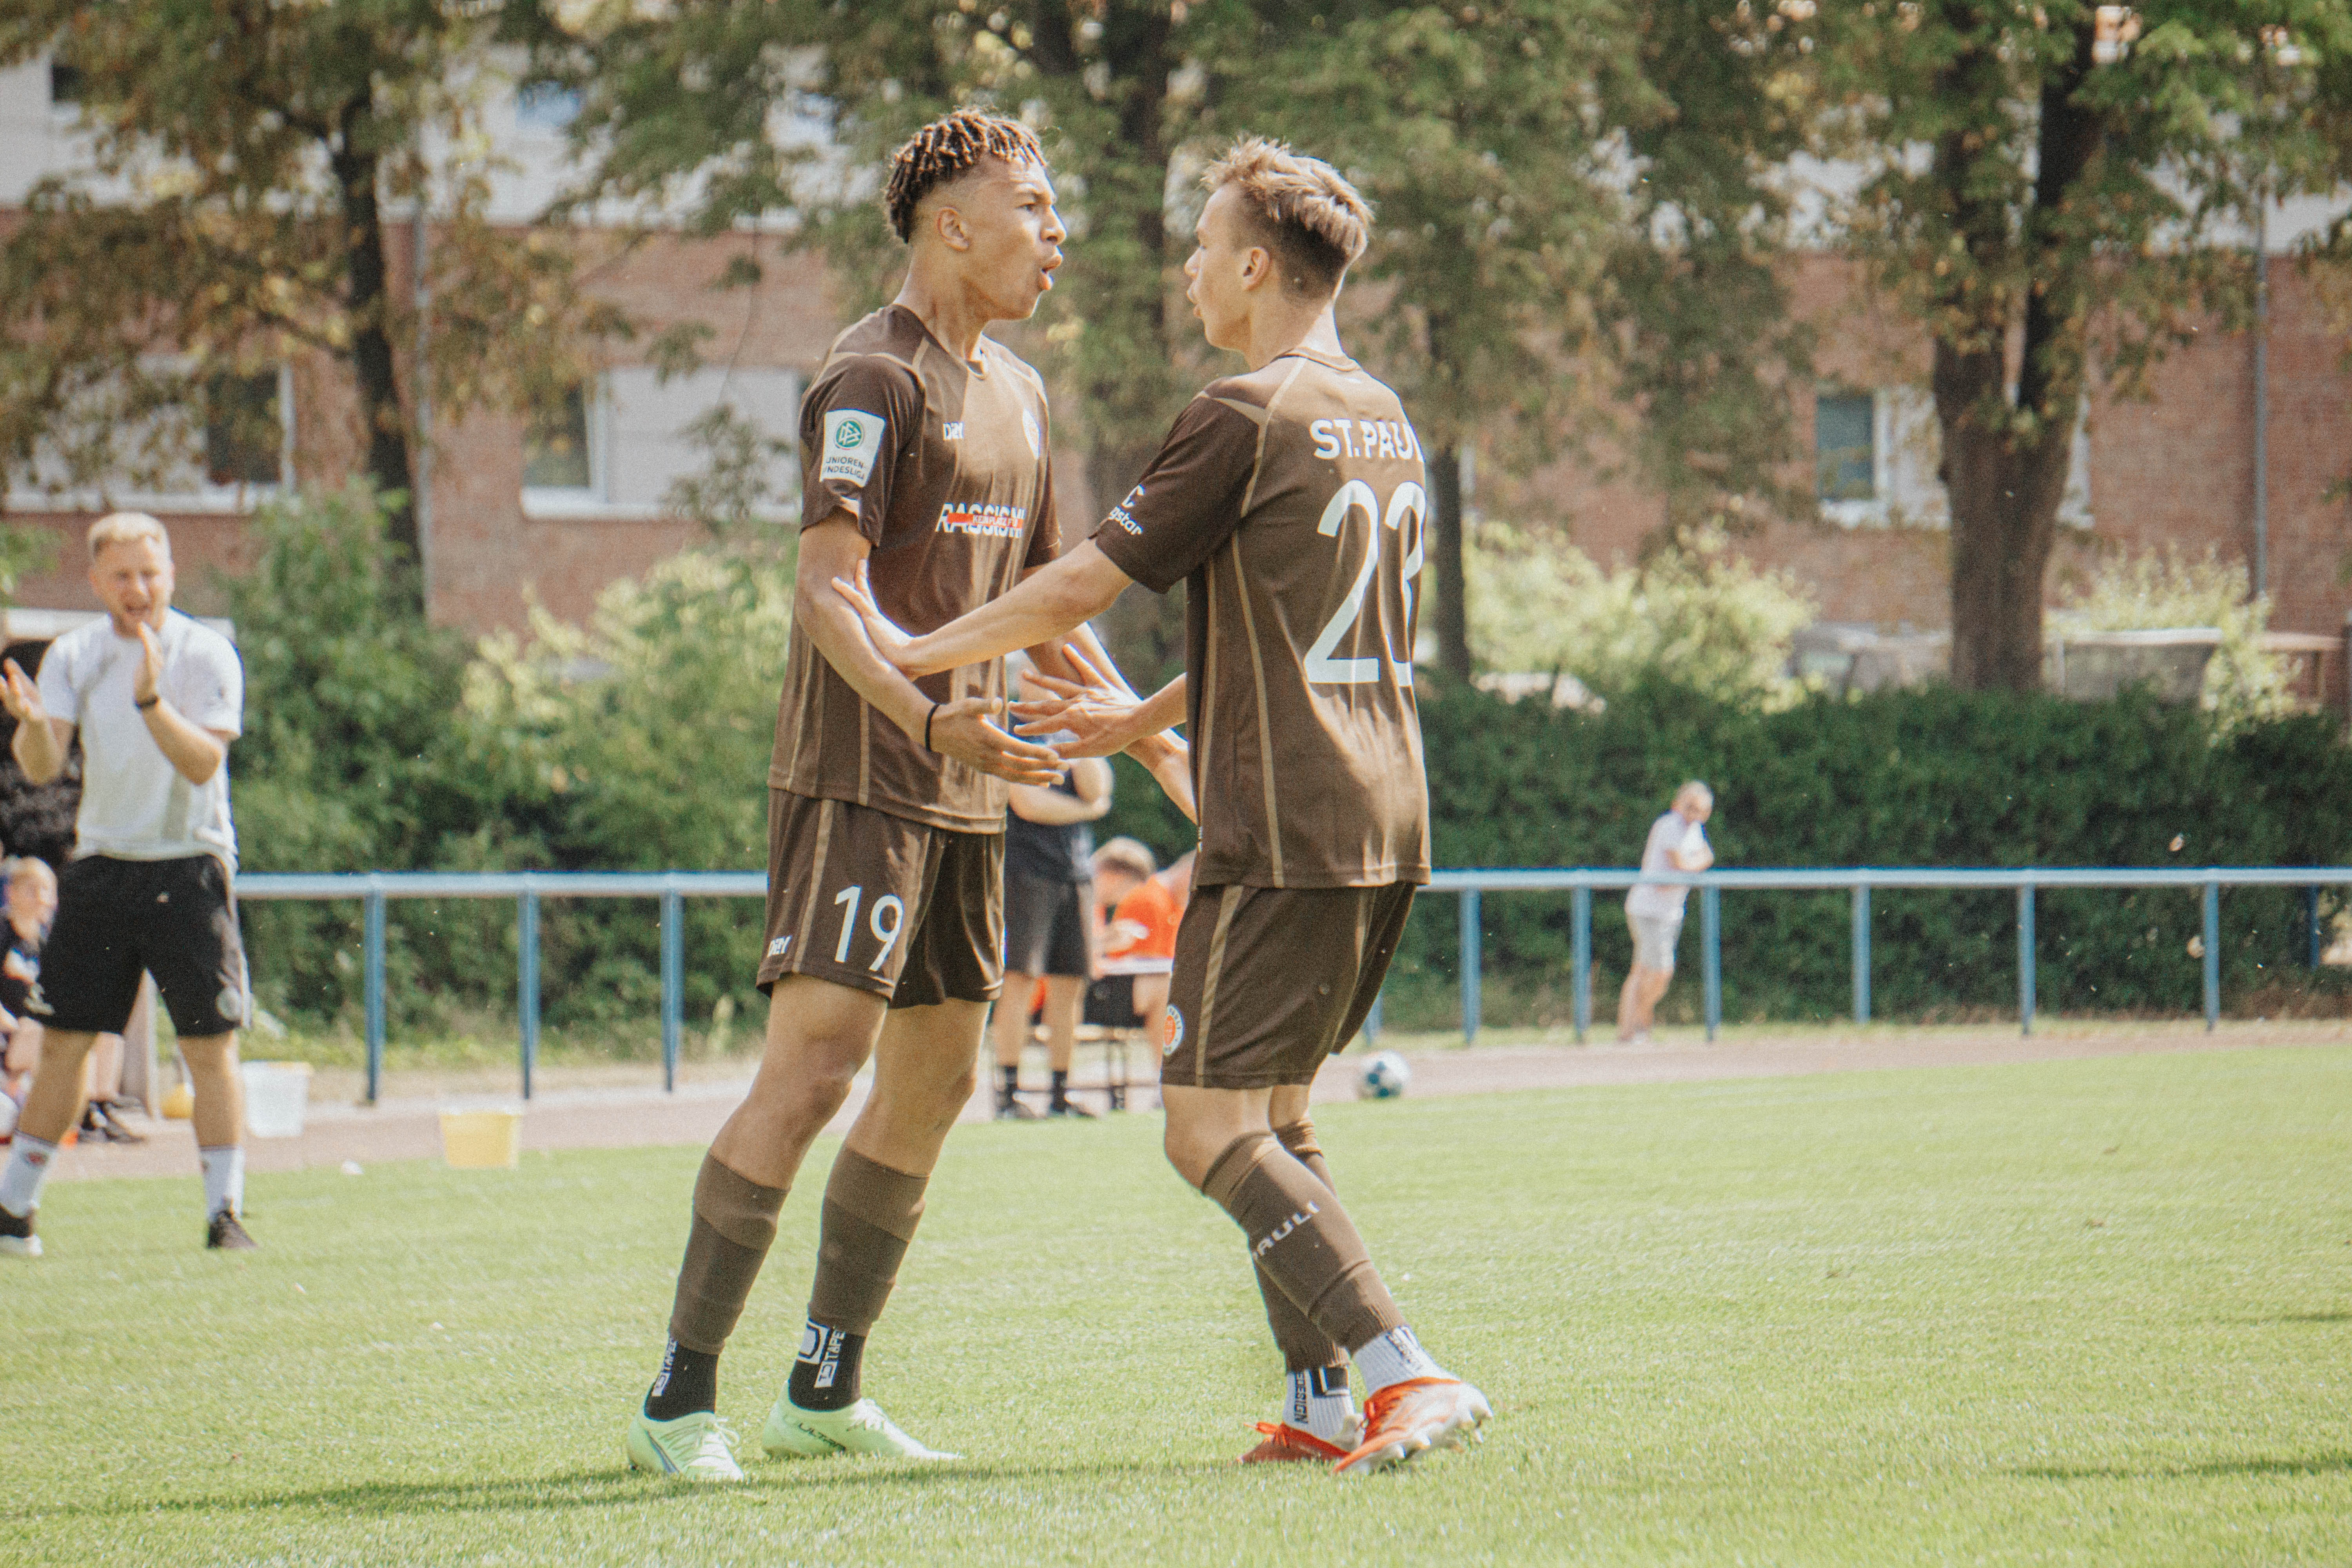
<point>1925,777</point>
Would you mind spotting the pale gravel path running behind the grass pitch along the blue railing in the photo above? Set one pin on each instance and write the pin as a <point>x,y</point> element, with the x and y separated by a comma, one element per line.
<point>627,1115</point>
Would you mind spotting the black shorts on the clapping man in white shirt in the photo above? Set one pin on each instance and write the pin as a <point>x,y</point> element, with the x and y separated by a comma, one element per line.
<point>116,920</point>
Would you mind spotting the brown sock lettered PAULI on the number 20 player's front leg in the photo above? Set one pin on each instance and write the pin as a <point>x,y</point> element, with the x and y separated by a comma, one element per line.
<point>1304,1240</point>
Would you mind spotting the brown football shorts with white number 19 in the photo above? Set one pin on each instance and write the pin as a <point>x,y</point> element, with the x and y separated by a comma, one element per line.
<point>881,904</point>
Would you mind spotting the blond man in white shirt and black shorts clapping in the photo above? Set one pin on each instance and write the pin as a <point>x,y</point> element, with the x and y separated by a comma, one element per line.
<point>156,699</point>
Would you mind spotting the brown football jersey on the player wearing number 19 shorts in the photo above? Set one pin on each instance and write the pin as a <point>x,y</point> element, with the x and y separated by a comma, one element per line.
<point>944,467</point>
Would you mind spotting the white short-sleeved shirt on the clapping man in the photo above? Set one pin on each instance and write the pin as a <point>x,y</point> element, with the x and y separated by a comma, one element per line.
<point>135,803</point>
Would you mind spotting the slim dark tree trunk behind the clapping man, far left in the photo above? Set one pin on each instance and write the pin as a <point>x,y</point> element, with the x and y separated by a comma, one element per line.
<point>368,302</point>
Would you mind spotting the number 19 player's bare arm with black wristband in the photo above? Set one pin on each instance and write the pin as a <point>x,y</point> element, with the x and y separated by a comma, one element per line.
<point>961,730</point>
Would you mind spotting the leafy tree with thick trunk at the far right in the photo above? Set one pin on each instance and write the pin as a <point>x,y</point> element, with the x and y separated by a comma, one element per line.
<point>2062,194</point>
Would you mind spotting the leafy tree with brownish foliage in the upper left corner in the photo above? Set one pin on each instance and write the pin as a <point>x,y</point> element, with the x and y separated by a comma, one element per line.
<point>232,217</point>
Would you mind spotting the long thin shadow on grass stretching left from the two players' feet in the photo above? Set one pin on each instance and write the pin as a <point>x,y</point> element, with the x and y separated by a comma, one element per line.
<point>592,1489</point>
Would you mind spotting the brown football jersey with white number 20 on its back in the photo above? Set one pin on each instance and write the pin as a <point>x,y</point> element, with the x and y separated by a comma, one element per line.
<point>1290,504</point>
